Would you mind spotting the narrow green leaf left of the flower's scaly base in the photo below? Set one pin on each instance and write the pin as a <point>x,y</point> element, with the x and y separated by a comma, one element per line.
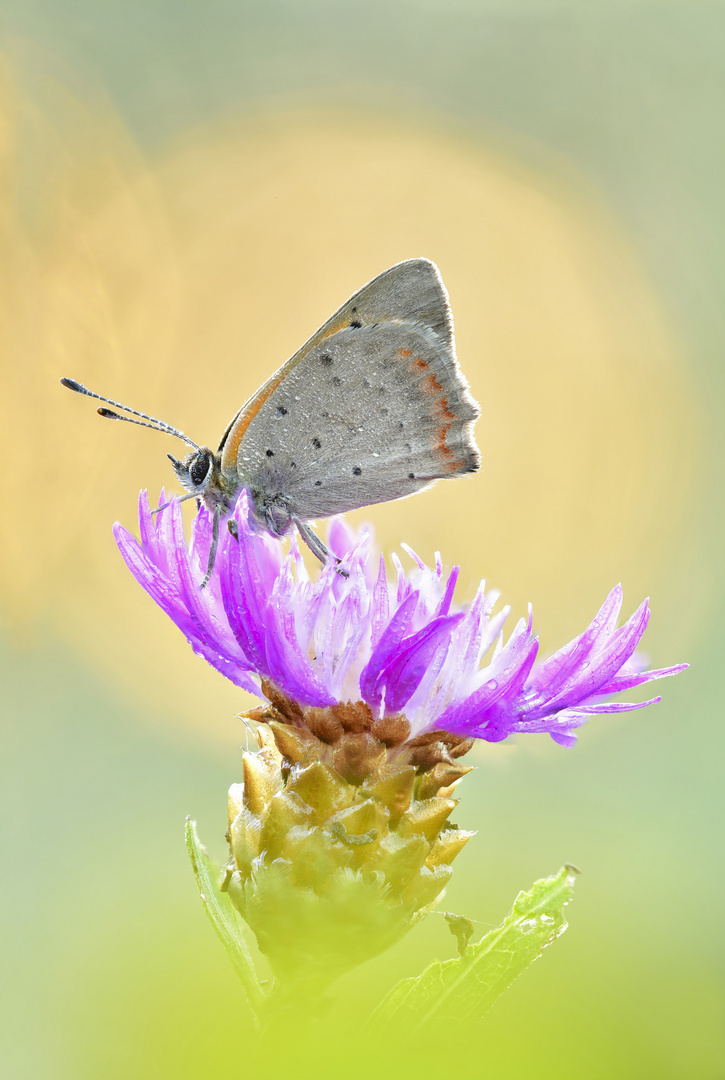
<point>224,917</point>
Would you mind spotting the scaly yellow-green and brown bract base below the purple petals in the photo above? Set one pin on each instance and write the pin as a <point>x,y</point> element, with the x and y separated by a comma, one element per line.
<point>328,866</point>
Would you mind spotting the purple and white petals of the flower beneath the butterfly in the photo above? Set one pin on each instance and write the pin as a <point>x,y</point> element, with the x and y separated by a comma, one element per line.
<point>399,645</point>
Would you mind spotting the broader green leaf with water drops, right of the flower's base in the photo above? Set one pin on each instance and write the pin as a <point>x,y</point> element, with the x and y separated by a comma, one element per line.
<point>459,992</point>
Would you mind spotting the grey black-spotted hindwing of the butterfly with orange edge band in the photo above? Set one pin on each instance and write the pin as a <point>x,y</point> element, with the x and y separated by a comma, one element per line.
<point>370,413</point>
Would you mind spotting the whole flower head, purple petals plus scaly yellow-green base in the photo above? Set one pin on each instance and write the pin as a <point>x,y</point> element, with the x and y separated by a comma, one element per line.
<point>377,685</point>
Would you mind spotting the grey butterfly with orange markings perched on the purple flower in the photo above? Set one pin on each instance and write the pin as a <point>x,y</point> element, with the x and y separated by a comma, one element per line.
<point>373,408</point>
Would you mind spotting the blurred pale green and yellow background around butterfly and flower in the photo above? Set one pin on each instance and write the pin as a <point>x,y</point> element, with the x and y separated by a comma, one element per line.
<point>189,191</point>
